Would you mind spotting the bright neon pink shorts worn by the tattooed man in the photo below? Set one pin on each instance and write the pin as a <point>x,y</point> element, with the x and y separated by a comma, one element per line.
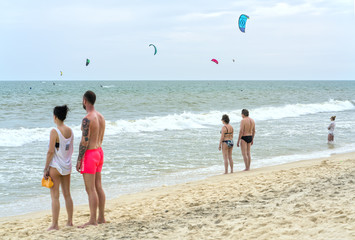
<point>92,161</point>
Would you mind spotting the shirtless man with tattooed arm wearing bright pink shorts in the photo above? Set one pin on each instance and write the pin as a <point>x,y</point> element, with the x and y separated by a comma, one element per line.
<point>91,158</point>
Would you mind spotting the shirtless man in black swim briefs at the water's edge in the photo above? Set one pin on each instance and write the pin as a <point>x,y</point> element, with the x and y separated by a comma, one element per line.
<point>246,134</point>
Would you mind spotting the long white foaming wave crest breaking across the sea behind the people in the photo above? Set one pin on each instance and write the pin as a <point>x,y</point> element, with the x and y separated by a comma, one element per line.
<point>186,120</point>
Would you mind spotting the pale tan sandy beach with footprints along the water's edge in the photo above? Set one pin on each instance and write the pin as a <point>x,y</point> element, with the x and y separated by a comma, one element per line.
<point>312,199</point>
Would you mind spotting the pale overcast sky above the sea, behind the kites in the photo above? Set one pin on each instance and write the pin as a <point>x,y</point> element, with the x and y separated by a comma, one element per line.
<point>304,39</point>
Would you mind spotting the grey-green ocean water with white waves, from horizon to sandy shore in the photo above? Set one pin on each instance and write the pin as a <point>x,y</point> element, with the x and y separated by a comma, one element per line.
<point>165,132</point>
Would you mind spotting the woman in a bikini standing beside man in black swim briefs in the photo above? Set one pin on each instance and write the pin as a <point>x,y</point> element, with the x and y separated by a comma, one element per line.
<point>226,143</point>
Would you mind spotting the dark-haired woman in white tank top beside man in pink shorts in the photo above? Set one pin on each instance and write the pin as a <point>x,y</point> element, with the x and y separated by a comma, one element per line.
<point>58,165</point>
